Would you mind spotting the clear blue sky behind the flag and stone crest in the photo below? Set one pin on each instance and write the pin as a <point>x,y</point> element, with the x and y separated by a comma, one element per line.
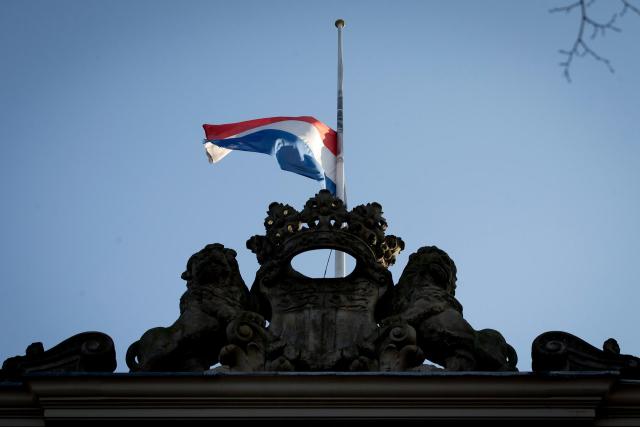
<point>458,121</point>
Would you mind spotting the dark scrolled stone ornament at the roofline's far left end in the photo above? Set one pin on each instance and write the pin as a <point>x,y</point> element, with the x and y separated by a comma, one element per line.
<point>84,352</point>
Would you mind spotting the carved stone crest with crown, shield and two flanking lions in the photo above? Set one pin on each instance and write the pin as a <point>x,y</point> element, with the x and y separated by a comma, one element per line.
<point>357,323</point>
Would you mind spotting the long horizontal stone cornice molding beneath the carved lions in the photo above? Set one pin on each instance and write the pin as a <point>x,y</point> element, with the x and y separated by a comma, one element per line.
<point>469,398</point>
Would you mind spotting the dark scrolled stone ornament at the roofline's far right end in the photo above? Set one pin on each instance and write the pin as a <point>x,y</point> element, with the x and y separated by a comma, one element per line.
<point>561,351</point>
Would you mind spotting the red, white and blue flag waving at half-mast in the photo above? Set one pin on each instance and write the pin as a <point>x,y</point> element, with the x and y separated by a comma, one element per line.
<point>303,145</point>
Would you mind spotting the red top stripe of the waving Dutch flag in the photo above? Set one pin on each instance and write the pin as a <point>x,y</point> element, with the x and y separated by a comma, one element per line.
<point>223,131</point>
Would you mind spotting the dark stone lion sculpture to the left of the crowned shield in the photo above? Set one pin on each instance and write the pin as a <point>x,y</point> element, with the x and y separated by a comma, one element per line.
<point>215,295</point>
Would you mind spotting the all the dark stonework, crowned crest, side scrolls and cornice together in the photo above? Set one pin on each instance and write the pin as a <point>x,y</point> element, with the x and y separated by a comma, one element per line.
<point>347,350</point>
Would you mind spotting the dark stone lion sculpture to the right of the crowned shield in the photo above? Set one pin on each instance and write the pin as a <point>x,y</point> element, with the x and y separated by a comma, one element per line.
<point>425,298</point>
